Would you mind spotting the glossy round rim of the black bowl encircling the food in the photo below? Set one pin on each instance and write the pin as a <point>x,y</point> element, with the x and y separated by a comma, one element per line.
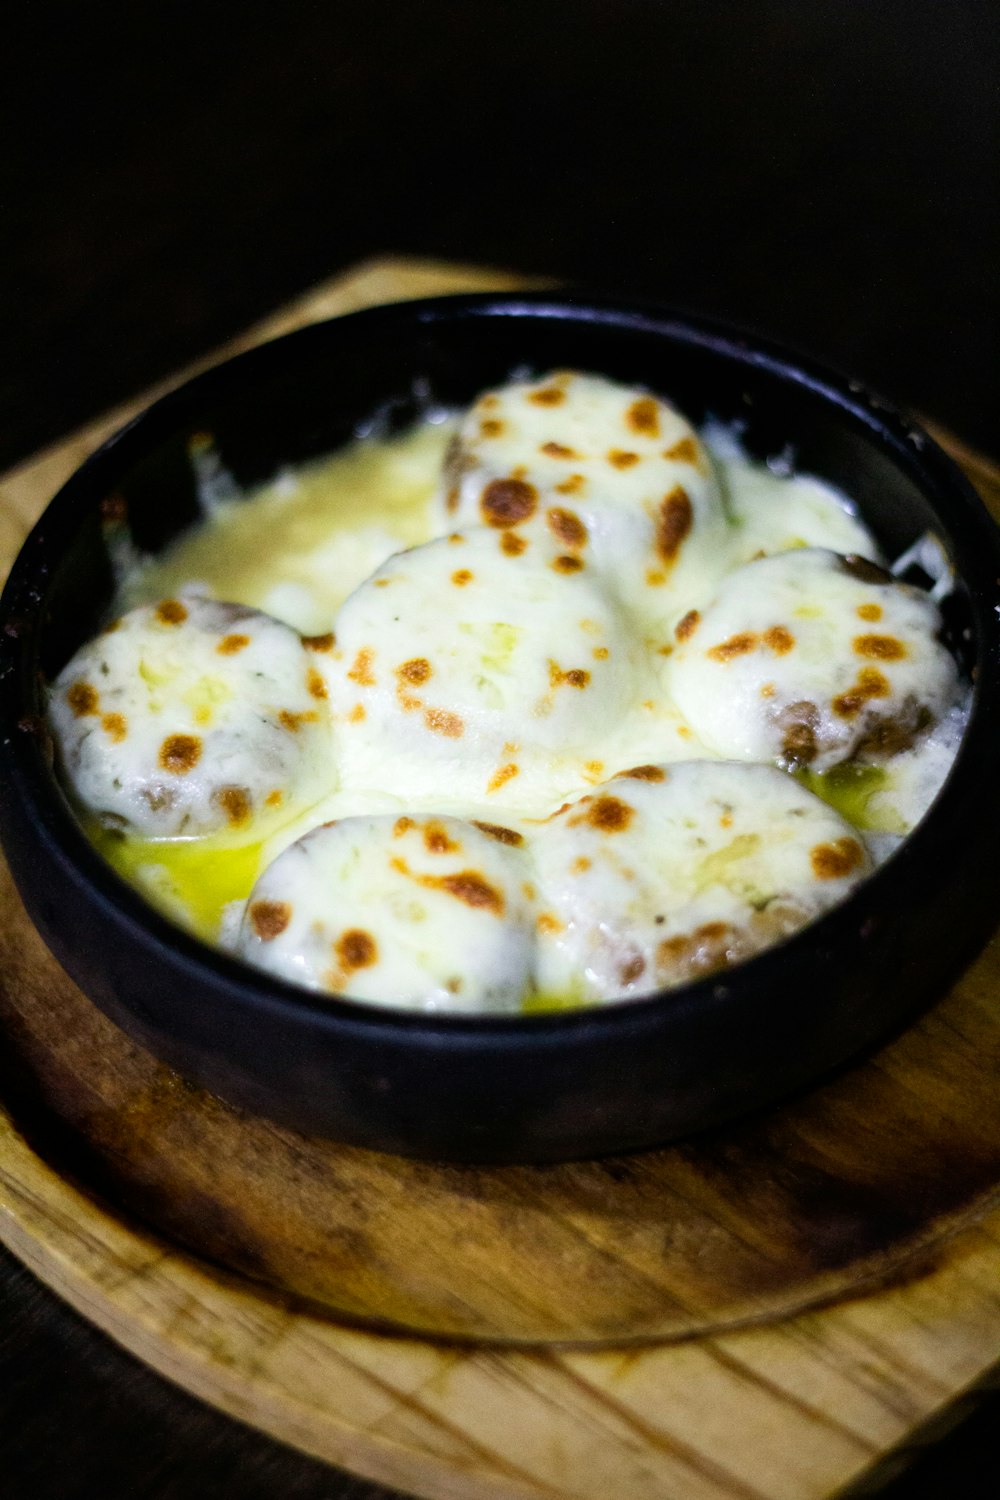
<point>29,776</point>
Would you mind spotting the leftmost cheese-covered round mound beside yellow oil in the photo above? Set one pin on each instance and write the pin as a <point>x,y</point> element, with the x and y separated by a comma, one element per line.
<point>193,716</point>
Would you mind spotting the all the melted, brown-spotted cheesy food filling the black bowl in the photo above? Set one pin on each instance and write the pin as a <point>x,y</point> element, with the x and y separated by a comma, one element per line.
<point>519,617</point>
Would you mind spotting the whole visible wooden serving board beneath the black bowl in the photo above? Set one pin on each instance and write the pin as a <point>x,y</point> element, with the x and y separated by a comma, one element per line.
<point>767,1312</point>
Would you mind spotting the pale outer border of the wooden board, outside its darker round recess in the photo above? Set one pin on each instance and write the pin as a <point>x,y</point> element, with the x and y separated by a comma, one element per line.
<point>743,1417</point>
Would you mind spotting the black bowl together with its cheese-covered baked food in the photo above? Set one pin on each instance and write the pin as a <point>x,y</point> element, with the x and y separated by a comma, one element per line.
<point>507,728</point>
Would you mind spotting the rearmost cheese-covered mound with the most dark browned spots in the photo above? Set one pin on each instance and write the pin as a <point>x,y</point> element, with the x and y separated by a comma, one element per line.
<point>609,472</point>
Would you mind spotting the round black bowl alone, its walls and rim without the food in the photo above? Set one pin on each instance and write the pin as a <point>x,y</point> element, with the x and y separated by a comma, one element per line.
<point>515,1088</point>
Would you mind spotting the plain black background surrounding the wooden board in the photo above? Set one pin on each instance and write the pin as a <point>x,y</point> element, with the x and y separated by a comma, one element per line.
<point>822,173</point>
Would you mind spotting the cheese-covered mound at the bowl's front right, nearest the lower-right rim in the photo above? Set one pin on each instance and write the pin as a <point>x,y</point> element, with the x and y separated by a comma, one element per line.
<point>668,874</point>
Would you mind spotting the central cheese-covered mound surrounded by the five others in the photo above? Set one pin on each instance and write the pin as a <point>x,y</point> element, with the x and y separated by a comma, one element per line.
<point>473,668</point>
